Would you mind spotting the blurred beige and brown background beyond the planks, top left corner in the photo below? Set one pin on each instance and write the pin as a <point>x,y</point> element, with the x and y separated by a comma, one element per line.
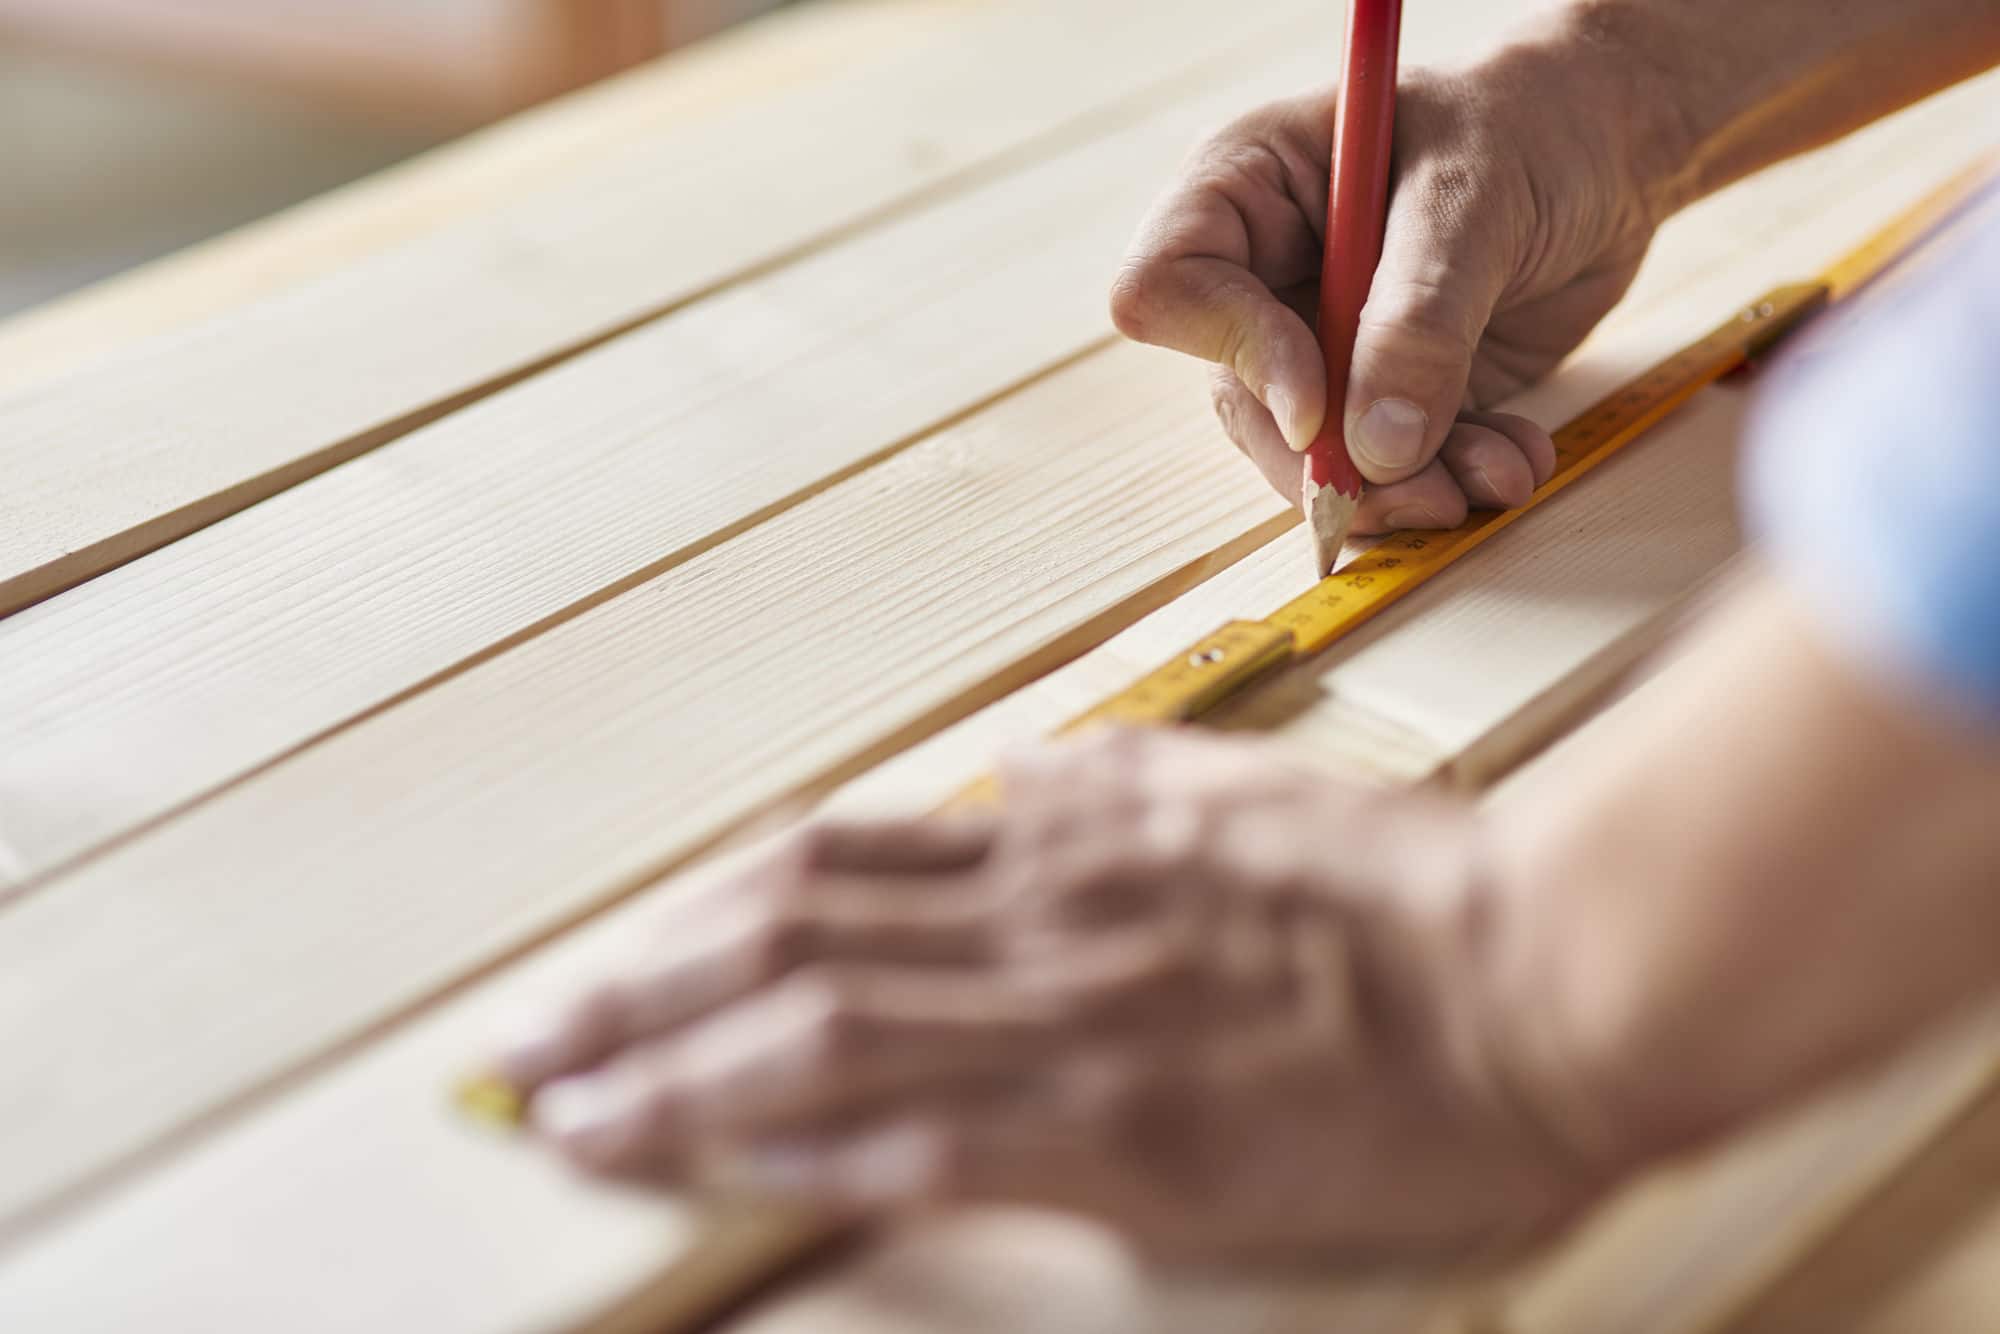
<point>131,129</point>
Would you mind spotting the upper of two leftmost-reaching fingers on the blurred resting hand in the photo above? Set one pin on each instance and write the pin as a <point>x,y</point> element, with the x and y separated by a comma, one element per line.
<point>719,951</point>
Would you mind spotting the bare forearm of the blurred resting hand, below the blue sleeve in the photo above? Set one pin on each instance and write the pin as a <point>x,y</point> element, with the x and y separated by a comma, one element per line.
<point>1757,879</point>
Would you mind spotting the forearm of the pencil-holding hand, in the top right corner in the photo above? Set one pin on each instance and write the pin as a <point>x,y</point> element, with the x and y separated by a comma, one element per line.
<point>1711,91</point>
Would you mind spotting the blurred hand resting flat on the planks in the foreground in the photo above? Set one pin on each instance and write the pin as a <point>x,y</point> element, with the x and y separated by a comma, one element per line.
<point>1173,985</point>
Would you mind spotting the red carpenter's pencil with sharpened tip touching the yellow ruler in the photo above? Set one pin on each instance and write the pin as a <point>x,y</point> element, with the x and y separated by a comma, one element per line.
<point>1357,209</point>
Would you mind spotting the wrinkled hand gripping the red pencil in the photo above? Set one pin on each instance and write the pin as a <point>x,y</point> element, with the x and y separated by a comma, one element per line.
<point>1517,223</point>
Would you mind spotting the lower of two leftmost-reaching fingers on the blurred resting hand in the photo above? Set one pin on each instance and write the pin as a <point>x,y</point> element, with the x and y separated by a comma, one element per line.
<point>839,1039</point>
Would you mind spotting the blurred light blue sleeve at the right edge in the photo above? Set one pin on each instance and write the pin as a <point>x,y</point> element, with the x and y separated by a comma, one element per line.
<point>1875,477</point>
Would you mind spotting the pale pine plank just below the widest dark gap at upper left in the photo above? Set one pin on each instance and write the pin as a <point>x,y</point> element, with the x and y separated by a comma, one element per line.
<point>177,677</point>
